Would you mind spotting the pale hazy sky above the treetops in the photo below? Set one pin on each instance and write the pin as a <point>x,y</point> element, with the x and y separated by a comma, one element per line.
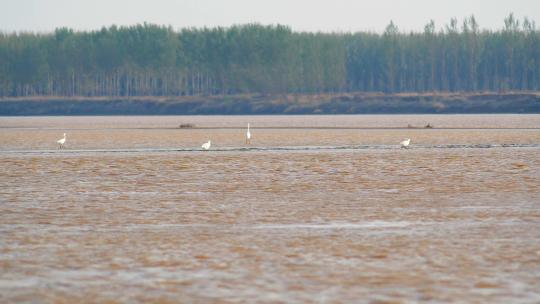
<point>301,15</point>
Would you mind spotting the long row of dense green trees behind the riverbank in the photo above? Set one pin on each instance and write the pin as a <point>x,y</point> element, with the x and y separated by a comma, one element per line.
<point>151,60</point>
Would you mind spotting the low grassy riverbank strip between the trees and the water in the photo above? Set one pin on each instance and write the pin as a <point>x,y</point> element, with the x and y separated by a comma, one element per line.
<point>337,103</point>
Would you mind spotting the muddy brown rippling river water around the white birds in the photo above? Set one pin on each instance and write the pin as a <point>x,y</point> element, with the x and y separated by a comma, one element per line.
<point>317,209</point>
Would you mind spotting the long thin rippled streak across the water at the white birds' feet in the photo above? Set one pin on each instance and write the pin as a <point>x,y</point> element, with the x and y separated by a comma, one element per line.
<point>270,149</point>
